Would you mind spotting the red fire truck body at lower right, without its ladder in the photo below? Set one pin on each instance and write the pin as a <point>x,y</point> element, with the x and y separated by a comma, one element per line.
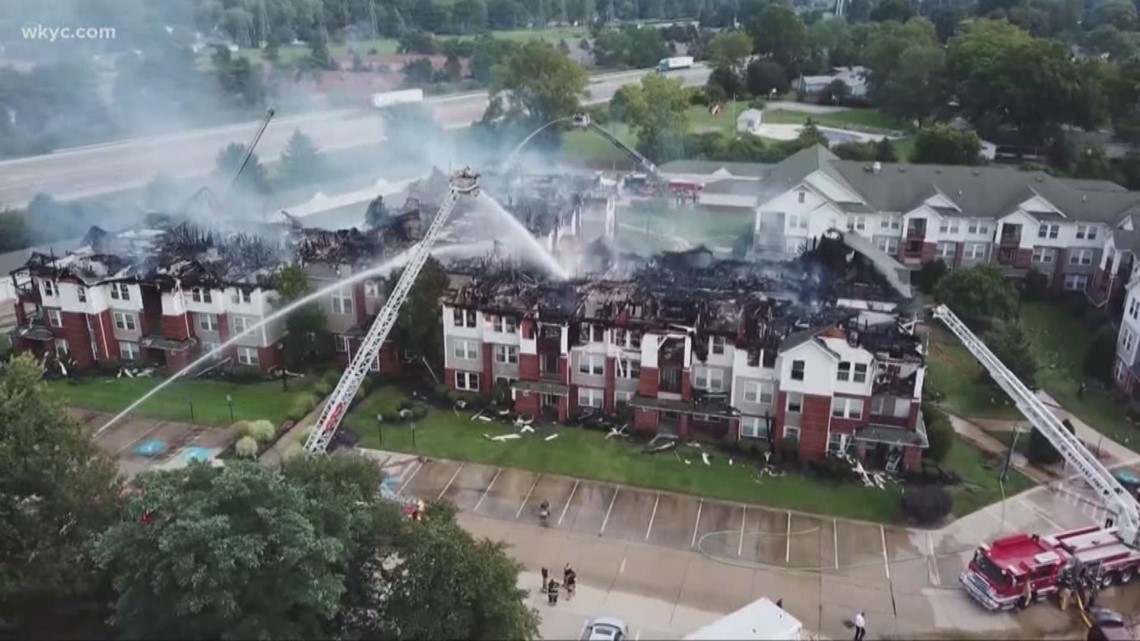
<point>1015,571</point>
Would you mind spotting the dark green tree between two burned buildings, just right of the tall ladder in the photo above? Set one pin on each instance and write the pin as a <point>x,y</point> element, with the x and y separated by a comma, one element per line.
<point>419,329</point>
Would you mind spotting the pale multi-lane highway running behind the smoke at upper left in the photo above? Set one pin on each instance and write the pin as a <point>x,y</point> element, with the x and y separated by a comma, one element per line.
<point>115,167</point>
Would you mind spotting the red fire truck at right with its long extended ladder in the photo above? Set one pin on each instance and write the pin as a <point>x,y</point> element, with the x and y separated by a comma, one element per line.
<point>1014,572</point>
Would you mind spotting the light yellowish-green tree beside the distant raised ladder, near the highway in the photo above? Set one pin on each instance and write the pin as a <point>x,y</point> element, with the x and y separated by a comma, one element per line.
<point>657,113</point>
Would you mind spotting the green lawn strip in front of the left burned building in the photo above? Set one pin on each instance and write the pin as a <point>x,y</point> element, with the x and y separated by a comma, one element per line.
<point>208,397</point>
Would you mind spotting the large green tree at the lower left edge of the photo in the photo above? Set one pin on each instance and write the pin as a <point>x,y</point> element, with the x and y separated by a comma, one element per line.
<point>58,490</point>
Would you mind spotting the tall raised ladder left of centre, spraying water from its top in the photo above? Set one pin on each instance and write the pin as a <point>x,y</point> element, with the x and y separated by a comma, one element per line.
<point>463,184</point>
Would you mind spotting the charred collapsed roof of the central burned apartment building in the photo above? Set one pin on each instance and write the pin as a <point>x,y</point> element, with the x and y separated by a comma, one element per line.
<point>764,307</point>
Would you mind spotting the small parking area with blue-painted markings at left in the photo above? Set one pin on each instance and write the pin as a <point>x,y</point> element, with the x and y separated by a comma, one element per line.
<point>142,444</point>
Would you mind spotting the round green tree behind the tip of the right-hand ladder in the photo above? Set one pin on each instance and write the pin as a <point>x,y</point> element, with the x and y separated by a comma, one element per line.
<point>979,295</point>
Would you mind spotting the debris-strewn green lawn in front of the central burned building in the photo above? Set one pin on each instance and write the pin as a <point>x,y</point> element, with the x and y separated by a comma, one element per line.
<point>588,455</point>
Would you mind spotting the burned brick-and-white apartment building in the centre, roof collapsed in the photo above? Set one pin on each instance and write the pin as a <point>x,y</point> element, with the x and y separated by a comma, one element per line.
<point>821,351</point>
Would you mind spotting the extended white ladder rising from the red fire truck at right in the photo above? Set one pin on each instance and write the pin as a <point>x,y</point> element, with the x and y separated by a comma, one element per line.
<point>1117,499</point>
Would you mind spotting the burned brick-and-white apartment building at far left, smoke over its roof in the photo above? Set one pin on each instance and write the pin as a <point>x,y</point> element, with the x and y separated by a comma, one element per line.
<point>166,296</point>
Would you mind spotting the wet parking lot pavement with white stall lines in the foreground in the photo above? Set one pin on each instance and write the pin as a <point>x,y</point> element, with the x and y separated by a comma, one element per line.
<point>706,557</point>
